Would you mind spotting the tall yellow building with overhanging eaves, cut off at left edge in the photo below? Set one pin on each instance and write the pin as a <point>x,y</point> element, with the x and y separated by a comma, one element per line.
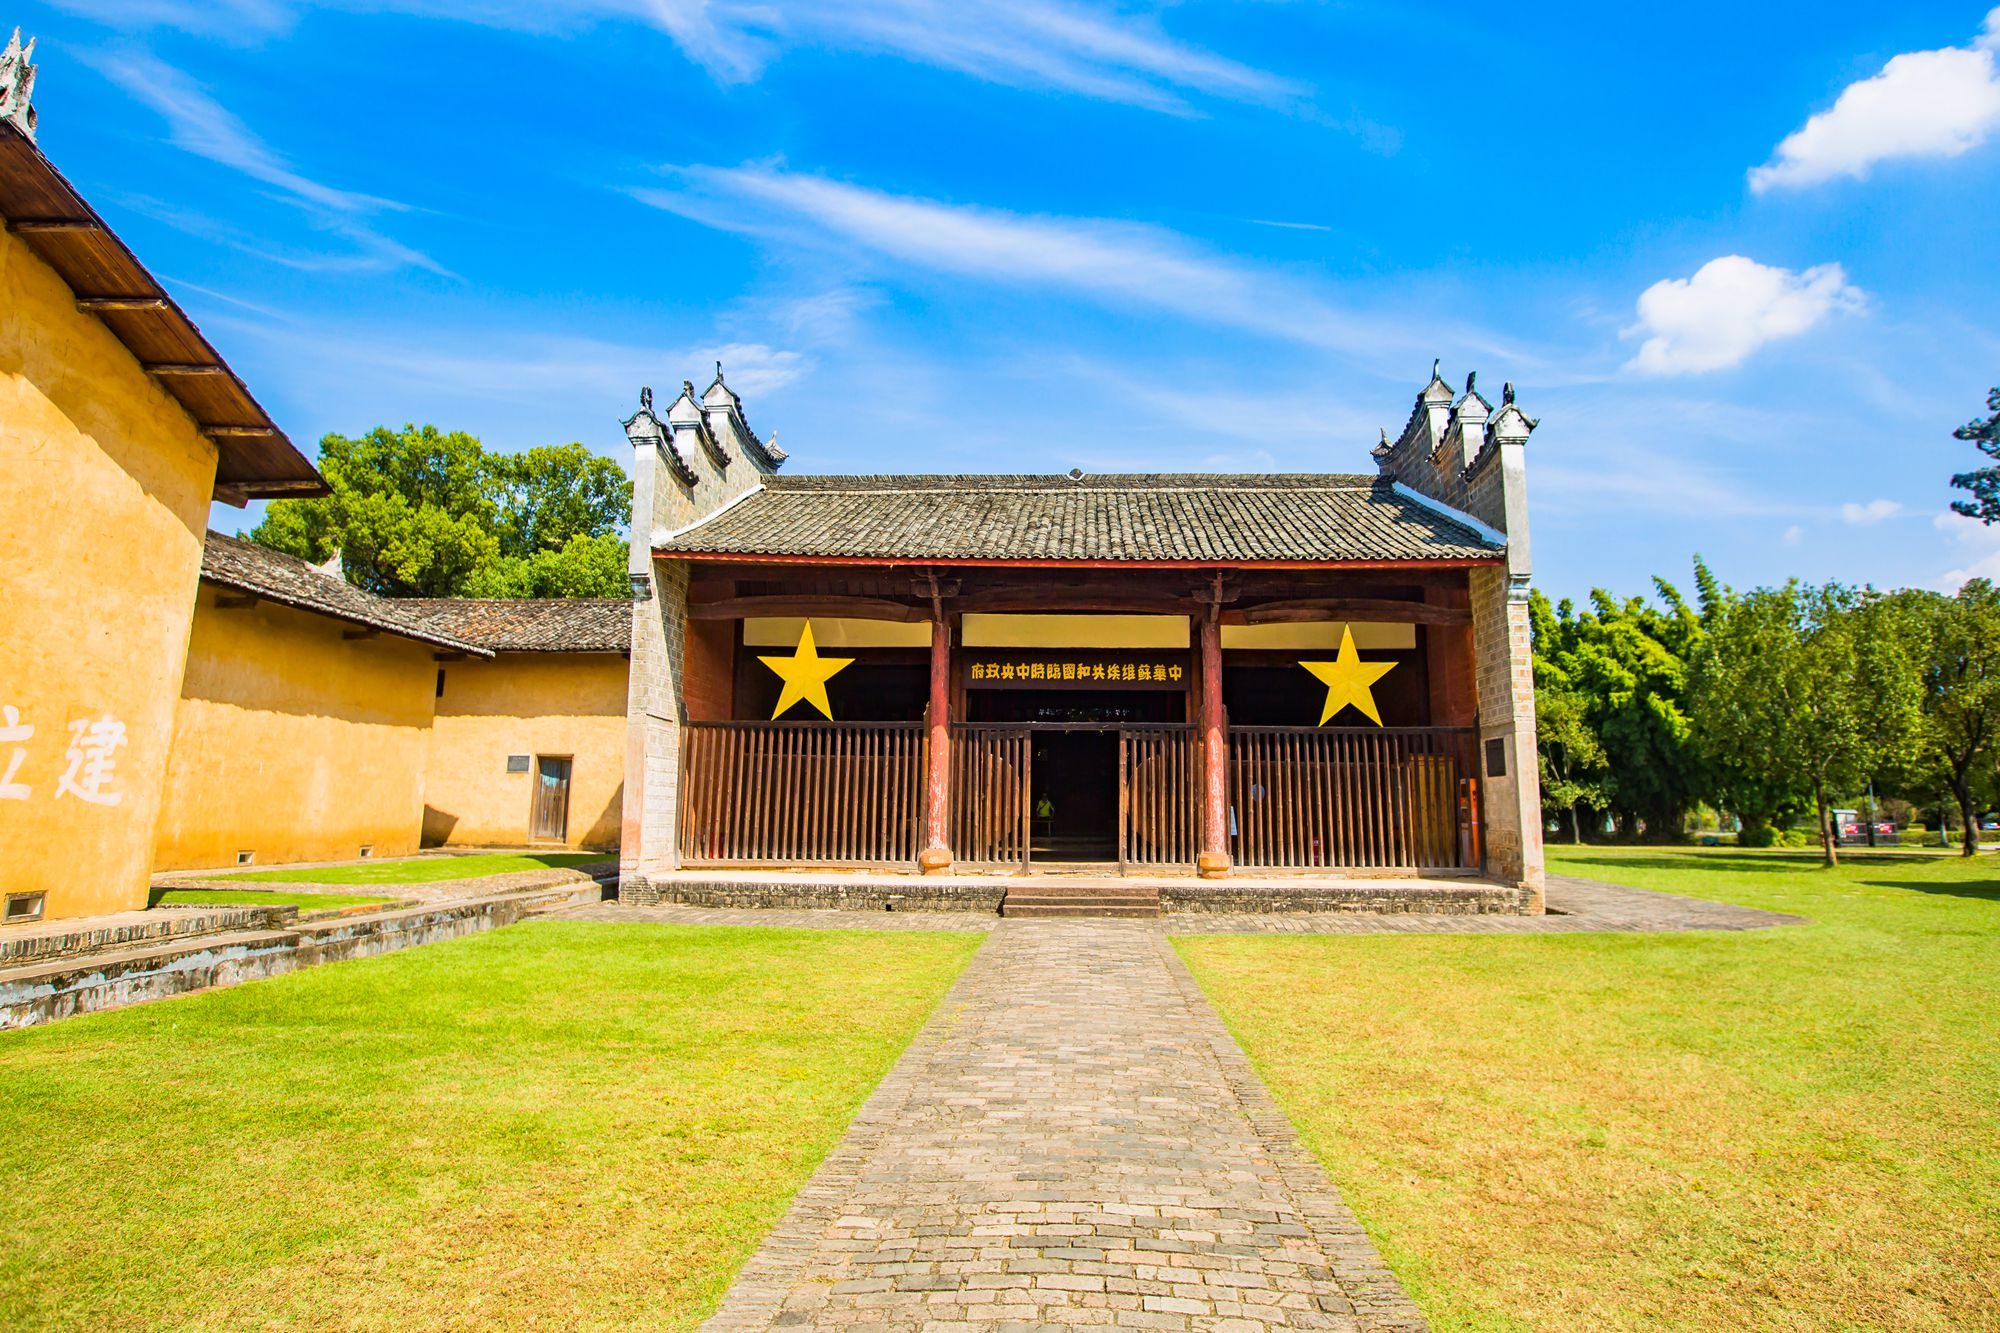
<point>119,427</point>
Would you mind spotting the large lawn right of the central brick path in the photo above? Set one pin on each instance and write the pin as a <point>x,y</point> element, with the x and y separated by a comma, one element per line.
<point>1773,1130</point>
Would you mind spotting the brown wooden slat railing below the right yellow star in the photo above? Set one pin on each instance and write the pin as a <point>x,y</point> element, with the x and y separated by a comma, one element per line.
<point>1307,798</point>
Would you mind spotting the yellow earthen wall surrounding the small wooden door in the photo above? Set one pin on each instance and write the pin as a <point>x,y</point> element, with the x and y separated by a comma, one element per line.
<point>527,704</point>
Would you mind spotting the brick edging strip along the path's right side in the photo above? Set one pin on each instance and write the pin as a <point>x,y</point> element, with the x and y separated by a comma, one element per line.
<point>1381,1302</point>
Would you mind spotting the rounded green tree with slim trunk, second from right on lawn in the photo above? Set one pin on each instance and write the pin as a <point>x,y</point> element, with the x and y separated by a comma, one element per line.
<point>1807,686</point>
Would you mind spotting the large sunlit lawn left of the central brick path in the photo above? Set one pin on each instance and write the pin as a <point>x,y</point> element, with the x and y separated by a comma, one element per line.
<point>557,1126</point>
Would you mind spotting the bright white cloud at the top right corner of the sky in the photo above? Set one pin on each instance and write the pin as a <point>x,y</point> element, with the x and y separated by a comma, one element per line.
<point>1923,105</point>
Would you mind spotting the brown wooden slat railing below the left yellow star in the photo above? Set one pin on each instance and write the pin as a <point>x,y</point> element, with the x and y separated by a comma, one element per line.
<point>801,794</point>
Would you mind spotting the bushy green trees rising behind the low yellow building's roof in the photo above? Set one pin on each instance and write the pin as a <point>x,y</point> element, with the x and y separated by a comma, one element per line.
<point>431,513</point>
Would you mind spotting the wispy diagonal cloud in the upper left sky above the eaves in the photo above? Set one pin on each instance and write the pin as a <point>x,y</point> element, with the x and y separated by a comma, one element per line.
<point>201,125</point>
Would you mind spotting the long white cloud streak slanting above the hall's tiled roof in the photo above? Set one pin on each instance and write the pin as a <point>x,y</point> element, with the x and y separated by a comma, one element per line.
<point>1117,263</point>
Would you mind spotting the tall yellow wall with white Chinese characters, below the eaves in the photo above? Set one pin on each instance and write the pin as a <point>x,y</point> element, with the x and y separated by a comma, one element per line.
<point>105,489</point>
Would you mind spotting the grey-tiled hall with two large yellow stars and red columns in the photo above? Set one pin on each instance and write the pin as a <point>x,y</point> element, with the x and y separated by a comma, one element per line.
<point>1299,676</point>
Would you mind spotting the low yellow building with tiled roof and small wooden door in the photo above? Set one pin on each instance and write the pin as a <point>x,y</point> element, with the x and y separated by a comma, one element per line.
<point>319,722</point>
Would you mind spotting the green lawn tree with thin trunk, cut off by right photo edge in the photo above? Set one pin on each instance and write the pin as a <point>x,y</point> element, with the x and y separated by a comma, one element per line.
<point>1955,645</point>
